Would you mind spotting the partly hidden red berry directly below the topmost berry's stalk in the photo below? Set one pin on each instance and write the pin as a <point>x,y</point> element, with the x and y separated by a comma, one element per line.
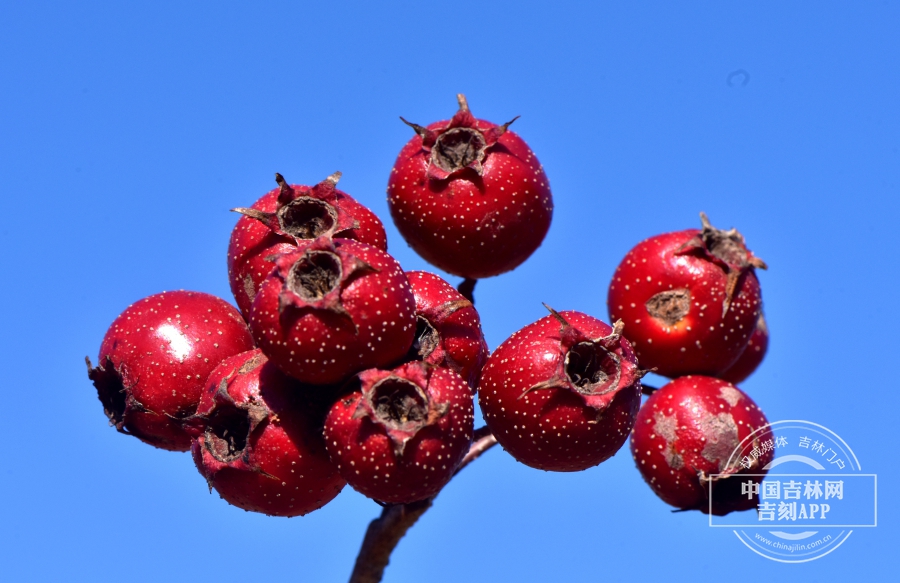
<point>448,330</point>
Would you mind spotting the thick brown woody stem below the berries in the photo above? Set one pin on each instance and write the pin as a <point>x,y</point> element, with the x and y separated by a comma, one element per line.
<point>385,532</point>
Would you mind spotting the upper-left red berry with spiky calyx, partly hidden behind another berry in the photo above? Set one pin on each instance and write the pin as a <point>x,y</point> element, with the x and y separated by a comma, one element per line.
<point>288,214</point>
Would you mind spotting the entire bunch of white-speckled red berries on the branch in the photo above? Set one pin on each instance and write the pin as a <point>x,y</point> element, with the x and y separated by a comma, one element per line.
<point>340,368</point>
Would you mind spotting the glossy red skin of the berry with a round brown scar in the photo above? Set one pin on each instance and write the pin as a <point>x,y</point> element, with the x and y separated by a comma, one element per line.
<point>703,342</point>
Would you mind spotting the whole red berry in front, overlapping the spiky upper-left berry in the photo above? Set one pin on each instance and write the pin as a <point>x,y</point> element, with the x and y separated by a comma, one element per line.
<point>332,309</point>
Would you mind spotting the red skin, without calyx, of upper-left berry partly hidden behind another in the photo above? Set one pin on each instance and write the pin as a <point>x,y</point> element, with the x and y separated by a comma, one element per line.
<point>252,242</point>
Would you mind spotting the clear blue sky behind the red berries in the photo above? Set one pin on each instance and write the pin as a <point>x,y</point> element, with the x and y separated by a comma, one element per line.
<point>128,132</point>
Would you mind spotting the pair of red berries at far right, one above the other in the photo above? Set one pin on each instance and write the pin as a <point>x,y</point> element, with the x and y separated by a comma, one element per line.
<point>692,309</point>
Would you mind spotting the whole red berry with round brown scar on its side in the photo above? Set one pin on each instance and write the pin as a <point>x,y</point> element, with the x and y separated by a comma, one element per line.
<point>690,300</point>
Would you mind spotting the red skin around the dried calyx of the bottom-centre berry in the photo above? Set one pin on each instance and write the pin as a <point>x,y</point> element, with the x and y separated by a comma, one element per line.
<point>364,453</point>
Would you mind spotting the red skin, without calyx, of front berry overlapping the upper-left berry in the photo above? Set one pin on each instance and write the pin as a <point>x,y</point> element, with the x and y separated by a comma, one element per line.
<point>322,348</point>
